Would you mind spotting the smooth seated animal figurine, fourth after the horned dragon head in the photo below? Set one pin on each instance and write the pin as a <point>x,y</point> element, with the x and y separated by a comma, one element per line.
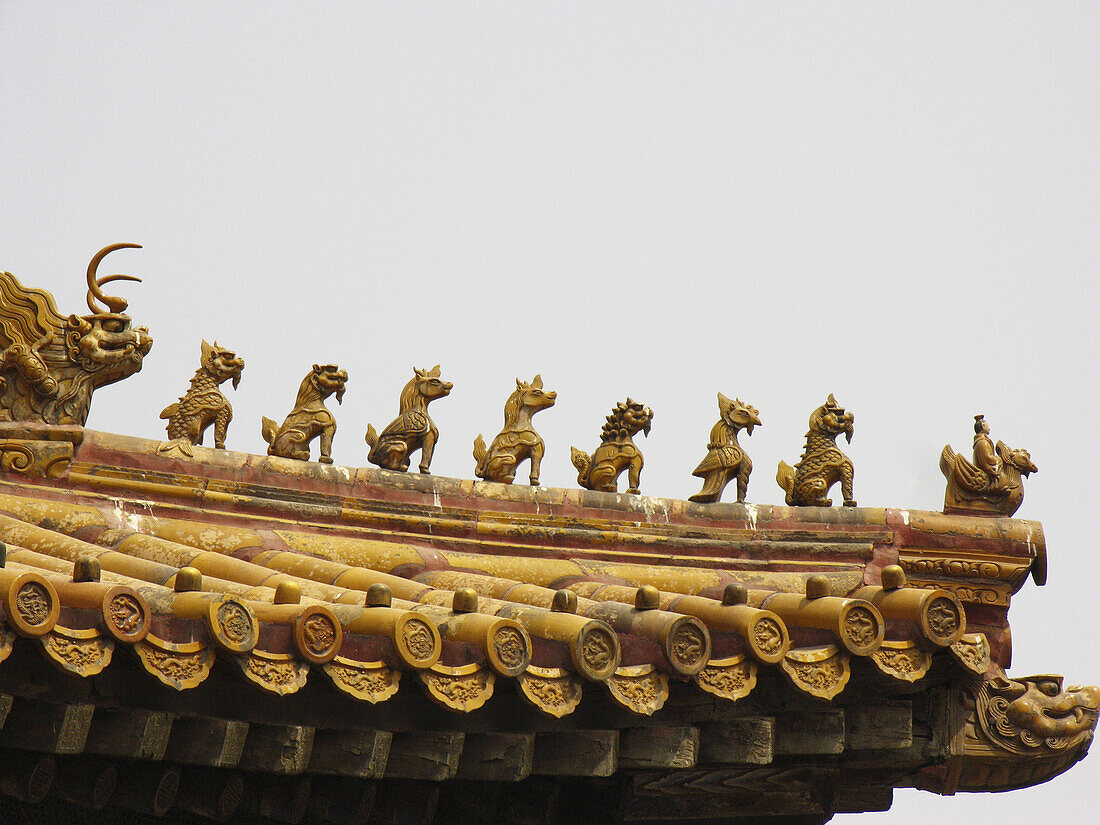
<point>519,439</point>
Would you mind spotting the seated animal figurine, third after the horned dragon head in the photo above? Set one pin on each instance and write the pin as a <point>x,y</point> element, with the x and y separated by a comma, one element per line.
<point>413,430</point>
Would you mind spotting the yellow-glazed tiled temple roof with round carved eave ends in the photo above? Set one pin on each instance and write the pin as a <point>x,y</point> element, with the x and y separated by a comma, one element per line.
<point>480,632</point>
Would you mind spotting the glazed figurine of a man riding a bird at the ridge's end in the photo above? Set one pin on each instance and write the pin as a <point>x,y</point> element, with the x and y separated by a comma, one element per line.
<point>994,483</point>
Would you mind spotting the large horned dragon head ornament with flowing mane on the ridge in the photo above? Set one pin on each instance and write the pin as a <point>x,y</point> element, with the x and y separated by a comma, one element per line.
<point>50,365</point>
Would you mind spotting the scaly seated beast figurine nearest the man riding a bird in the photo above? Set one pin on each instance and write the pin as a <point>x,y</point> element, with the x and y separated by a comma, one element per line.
<point>822,464</point>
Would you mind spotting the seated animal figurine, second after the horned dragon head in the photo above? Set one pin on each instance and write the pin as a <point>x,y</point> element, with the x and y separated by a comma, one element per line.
<point>310,419</point>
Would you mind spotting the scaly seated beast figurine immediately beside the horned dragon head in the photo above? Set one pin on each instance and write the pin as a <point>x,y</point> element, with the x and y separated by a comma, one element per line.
<point>204,403</point>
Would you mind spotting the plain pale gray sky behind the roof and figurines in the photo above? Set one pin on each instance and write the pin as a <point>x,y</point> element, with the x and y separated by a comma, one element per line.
<point>896,203</point>
